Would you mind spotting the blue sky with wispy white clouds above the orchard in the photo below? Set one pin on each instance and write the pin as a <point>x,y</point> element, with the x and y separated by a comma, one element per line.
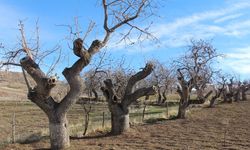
<point>226,22</point>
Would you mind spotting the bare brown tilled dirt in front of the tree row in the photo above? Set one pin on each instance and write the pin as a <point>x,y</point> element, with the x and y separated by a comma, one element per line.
<point>227,126</point>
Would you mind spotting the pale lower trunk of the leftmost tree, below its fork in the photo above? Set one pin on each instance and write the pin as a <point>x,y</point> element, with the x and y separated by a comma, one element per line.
<point>59,134</point>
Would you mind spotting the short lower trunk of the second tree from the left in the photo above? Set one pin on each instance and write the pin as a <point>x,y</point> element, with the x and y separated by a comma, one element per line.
<point>119,120</point>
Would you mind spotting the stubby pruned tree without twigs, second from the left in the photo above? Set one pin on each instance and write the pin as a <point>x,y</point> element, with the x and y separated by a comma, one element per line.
<point>119,105</point>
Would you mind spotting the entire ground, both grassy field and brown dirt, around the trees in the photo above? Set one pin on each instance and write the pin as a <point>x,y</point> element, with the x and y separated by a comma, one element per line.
<point>224,127</point>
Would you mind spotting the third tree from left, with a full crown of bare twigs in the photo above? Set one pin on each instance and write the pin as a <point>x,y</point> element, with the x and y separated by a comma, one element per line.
<point>194,71</point>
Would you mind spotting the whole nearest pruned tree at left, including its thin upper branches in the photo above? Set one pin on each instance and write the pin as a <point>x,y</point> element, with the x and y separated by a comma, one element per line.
<point>117,14</point>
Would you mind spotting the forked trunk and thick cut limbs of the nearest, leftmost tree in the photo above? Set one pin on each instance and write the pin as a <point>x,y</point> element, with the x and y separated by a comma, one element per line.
<point>41,93</point>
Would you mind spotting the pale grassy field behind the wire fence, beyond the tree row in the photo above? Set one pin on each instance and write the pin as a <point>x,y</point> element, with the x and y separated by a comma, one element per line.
<point>31,122</point>
